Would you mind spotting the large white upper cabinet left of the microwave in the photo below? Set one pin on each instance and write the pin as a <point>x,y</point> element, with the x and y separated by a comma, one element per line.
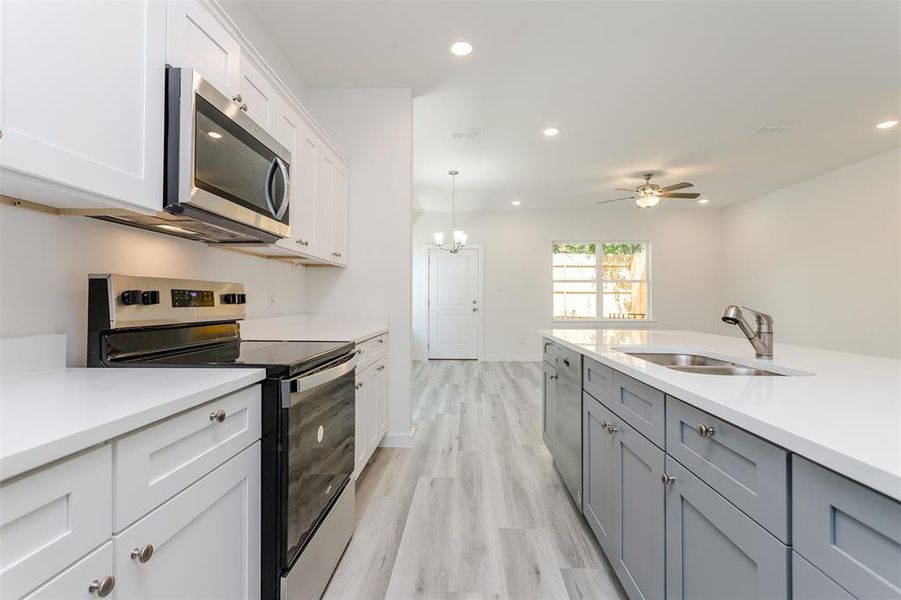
<point>81,101</point>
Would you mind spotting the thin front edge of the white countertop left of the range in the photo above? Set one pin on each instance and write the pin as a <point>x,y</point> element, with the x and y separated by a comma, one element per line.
<point>38,456</point>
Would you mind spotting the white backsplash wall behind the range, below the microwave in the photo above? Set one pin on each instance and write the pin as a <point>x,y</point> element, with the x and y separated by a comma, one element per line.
<point>45,261</point>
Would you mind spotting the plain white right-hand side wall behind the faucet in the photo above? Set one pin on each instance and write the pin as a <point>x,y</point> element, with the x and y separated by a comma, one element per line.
<point>823,257</point>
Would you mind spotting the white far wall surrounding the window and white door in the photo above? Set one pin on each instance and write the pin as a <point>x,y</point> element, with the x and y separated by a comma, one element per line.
<point>685,250</point>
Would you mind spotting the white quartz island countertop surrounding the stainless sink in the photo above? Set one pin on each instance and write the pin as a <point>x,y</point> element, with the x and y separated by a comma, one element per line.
<point>845,414</point>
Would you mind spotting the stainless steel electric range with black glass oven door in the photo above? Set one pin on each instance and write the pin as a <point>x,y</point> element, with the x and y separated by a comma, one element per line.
<point>308,410</point>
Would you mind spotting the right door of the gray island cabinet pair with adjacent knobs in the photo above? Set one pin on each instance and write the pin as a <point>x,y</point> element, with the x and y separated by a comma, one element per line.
<point>638,508</point>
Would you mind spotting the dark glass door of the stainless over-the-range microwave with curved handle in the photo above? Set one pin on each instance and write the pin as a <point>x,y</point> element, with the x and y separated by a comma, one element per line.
<point>229,162</point>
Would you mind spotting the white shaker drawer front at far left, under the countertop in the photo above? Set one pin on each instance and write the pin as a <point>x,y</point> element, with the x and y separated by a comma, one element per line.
<point>51,518</point>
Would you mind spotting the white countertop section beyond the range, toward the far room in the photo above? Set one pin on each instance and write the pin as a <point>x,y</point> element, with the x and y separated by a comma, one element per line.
<point>319,327</point>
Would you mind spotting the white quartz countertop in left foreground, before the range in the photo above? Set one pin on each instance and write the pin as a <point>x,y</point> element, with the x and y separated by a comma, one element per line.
<point>47,415</point>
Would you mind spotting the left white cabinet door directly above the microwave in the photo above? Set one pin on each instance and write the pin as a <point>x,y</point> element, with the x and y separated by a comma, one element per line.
<point>195,39</point>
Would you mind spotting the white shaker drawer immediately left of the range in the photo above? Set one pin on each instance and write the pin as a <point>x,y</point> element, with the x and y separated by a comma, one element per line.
<point>156,463</point>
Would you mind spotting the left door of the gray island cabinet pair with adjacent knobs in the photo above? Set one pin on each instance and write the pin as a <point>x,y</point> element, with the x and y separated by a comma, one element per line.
<point>597,472</point>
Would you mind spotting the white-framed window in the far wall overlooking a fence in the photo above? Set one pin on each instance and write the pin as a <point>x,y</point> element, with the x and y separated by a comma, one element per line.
<point>601,280</point>
